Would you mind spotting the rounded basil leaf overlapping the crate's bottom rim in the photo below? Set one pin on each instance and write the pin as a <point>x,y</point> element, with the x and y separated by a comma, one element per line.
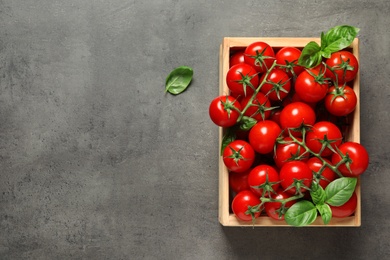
<point>301,213</point>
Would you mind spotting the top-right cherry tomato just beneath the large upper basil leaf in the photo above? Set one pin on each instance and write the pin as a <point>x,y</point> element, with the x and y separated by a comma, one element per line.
<point>345,66</point>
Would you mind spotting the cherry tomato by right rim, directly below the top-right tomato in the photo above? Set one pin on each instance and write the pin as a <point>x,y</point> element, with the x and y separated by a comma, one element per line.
<point>340,101</point>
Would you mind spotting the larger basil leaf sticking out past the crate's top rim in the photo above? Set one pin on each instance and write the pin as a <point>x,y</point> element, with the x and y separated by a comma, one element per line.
<point>338,38</point>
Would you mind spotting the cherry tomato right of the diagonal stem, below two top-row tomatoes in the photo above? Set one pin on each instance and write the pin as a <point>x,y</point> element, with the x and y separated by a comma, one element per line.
<point>278,85</point>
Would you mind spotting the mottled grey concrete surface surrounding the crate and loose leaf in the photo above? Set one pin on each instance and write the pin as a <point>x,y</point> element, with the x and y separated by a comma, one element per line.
<point>98,163</point>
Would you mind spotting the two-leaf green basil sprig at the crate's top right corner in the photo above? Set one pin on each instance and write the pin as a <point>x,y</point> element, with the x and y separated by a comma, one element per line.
<point>336,39</point>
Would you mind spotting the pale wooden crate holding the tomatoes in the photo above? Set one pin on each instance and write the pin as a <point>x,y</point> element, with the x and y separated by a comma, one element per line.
<point>226,217</point>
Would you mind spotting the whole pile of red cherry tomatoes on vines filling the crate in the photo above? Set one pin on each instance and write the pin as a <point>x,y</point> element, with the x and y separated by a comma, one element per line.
<point>284,129</point>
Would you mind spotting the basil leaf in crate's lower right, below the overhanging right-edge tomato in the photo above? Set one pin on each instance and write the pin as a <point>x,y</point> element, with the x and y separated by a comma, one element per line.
<point>340,191</point>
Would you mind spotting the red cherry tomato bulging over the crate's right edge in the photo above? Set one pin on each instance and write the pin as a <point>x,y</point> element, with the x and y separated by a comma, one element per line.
<point>358,159</point>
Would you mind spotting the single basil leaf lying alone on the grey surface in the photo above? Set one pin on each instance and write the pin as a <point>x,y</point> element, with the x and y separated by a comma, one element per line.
<point>178,80</point>
